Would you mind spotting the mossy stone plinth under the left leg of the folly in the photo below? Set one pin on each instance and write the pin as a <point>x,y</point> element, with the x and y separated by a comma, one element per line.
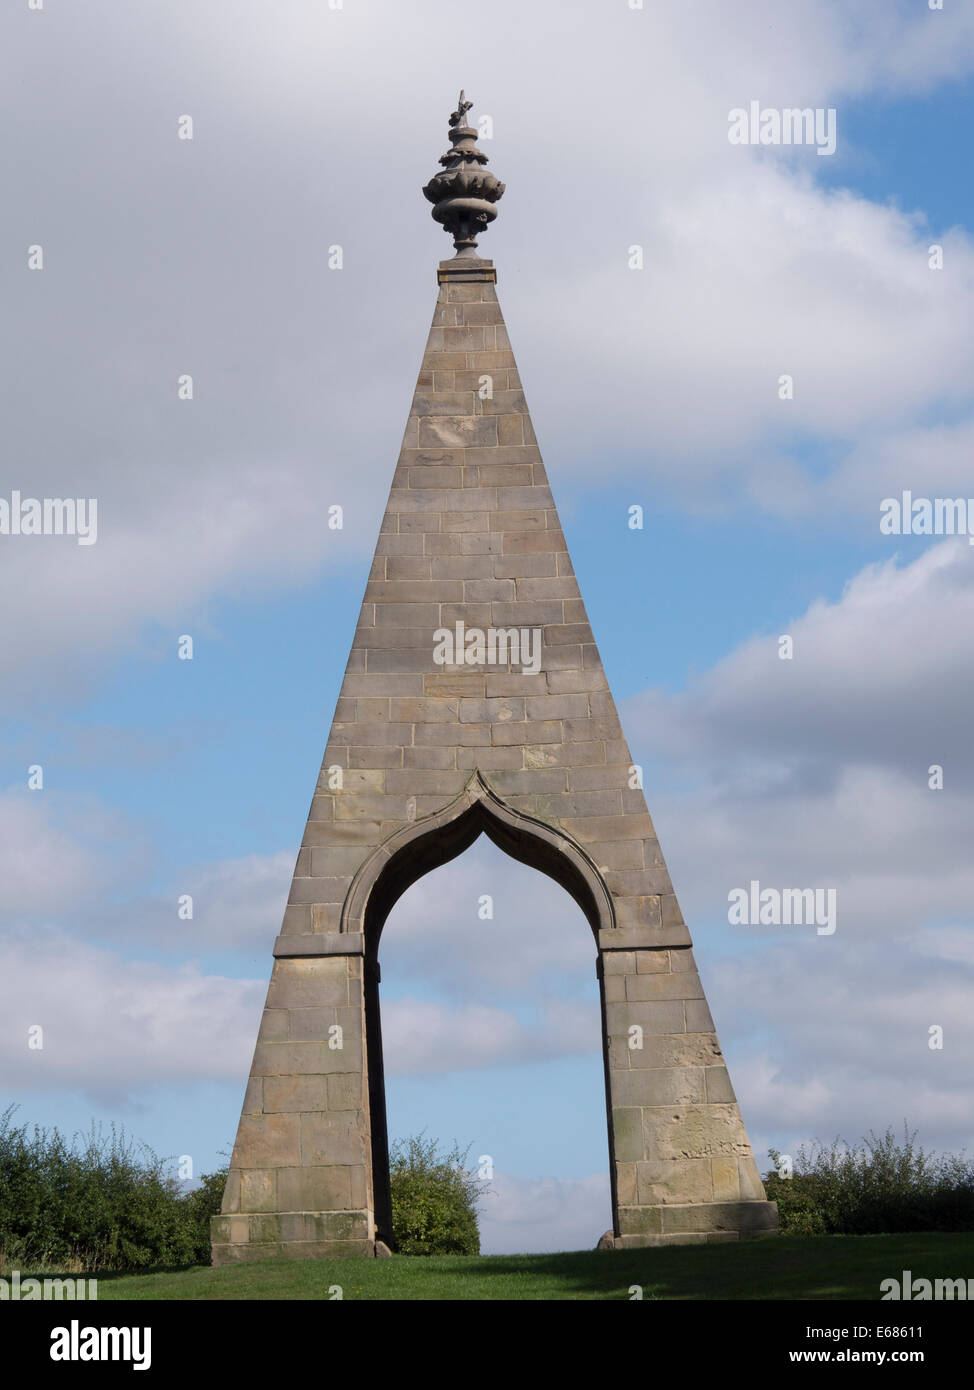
<point>291,1236</point>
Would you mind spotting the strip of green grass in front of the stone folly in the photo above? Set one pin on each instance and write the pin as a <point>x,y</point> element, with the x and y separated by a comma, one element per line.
<point>780,1268</point>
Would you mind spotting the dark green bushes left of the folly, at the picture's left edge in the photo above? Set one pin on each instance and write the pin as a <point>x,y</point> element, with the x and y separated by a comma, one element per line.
<point>97,1204</point>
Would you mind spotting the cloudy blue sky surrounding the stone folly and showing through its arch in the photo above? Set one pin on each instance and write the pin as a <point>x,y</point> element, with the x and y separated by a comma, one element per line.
<point>166,778</point>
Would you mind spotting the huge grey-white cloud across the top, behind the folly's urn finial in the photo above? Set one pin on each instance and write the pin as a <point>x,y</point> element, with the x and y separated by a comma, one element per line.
<point>752,272</point>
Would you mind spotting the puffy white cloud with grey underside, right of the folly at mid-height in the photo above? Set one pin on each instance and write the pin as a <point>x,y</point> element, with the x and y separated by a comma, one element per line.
<point>879,678</point>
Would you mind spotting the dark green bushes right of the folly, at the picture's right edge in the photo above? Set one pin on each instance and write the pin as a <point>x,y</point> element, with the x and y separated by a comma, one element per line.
<point>873,1188</point>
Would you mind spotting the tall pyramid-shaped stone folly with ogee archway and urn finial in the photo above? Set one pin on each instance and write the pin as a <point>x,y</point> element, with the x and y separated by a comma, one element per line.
<point>474,701</point>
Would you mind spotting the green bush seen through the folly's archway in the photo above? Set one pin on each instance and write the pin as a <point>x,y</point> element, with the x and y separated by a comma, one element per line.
<point>434,1200</point>
